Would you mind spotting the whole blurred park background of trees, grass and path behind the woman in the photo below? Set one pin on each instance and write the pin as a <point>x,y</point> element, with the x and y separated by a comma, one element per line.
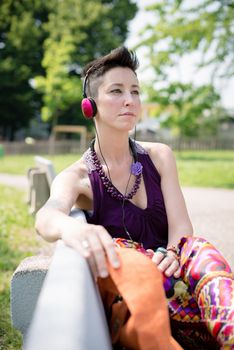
<point>186,53</point>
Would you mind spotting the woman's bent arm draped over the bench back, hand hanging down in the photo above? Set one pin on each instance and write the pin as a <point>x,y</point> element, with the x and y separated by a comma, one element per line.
<point>53,222</point>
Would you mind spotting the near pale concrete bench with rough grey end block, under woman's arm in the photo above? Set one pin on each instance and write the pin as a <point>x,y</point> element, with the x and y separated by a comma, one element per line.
<point>55,302</point>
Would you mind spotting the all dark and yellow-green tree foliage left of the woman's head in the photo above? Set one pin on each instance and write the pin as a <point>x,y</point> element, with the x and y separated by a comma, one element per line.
<point>43,45</point>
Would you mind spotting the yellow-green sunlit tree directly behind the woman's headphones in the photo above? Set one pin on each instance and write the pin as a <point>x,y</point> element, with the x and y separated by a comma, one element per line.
<point>77,33</point>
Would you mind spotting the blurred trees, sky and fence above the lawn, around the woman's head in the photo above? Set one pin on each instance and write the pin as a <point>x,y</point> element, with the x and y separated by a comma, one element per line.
<point>186,54</point>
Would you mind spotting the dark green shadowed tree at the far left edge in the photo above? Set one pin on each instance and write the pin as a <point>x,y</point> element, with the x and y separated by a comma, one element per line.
<point>21,36</point>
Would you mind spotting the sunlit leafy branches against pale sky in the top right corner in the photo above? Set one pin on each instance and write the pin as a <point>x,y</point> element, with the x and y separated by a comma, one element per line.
<point>183,26</point>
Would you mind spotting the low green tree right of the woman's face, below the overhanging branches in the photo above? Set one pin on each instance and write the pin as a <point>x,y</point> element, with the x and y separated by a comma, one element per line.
<point>188,110</point>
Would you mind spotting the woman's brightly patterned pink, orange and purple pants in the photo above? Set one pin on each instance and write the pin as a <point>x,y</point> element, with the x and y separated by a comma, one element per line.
<point>201,301</point>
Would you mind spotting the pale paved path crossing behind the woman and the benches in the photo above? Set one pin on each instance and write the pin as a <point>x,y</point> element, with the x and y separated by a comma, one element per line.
<point>211,212</point>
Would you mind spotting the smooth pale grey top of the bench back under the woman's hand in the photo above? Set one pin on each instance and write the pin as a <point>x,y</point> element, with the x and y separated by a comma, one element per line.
<point>69,314</point>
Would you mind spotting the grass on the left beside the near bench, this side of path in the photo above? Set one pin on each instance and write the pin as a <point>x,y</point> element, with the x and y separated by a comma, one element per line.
<point>17,240</point>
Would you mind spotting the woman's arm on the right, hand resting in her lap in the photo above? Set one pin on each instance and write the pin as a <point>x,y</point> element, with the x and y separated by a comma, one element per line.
<point>179,223</point>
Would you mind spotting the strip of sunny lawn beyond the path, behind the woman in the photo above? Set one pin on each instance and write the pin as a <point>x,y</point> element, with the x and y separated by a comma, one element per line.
<point>196,168</point>
